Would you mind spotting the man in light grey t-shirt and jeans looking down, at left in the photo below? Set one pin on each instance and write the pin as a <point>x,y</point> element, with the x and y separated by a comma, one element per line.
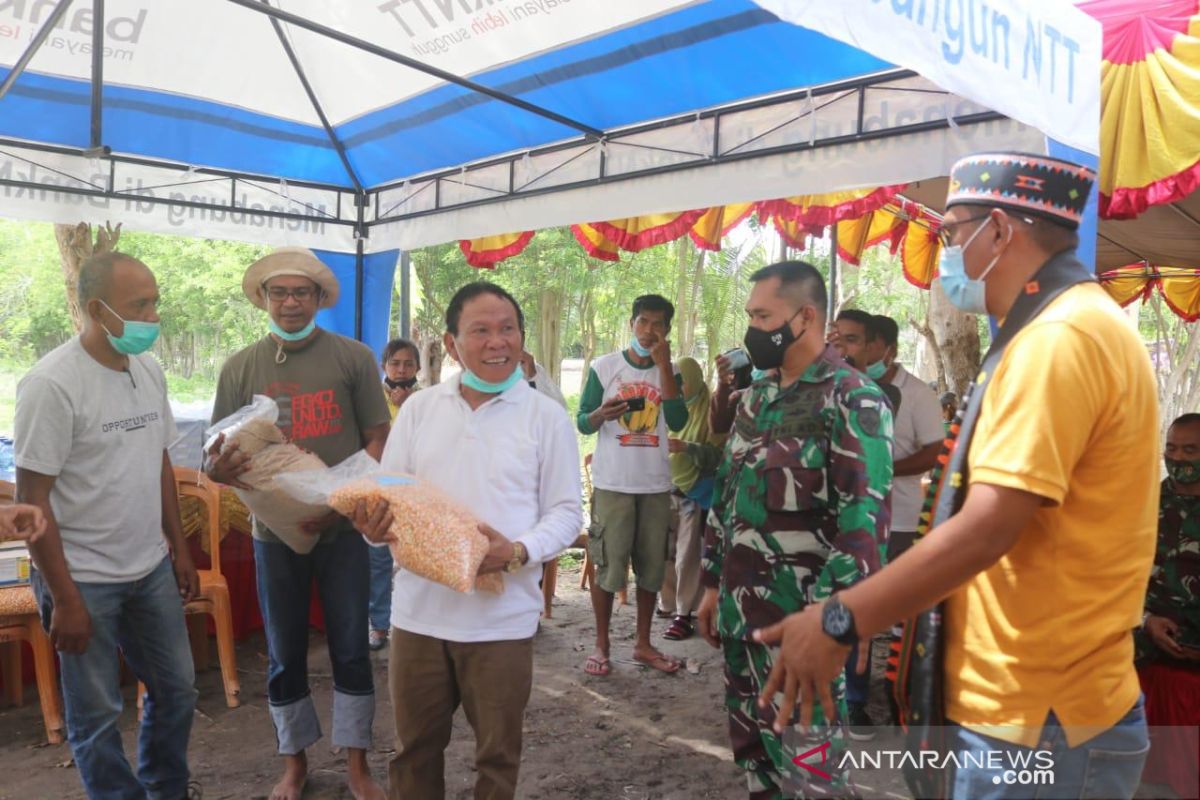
<point>92,432</point>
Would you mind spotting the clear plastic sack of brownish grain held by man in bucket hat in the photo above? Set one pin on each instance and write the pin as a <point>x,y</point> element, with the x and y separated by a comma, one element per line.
<point>254,431</point>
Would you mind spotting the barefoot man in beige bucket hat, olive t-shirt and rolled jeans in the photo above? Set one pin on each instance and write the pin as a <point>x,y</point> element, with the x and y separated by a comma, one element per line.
<point>331,404</point>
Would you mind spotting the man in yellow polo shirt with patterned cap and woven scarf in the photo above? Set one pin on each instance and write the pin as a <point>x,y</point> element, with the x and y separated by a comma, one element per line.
<point>1045,524</point>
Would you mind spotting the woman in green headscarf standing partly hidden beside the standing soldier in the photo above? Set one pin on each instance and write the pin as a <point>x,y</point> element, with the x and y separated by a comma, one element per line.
<point>695,456</point>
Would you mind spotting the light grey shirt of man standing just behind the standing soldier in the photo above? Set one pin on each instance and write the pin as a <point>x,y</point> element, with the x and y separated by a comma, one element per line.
<point>919,424</point>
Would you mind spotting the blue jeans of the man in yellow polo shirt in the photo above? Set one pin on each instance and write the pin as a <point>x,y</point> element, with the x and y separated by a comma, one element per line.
<point>1107,766</point>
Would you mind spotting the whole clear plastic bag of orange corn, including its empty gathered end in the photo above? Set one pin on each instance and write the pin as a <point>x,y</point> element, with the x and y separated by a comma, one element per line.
<point>434,537</point>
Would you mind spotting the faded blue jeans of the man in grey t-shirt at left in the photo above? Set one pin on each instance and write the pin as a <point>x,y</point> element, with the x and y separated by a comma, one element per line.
<point>145,619</point>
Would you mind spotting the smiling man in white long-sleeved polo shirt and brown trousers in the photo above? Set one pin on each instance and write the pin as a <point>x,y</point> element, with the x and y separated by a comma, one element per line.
<point>509,455</point>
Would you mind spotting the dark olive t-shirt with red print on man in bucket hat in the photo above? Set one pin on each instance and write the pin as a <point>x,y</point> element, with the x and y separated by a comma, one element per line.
<point>328,393</point>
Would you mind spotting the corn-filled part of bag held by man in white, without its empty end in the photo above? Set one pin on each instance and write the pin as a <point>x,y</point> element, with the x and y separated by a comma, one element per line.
<point>435,538</point>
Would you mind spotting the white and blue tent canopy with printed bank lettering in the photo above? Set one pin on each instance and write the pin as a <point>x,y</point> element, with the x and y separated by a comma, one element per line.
<point>371,127</point>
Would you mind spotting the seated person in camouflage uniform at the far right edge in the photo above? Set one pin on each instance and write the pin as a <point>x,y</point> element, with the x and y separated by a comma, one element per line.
<point>1172,629</point>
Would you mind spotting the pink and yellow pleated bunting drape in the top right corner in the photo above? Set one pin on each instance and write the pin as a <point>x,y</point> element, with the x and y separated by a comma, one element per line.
<point>1150,104</point>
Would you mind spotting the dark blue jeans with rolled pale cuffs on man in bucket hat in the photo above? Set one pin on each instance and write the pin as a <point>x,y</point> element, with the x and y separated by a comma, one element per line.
<point>285,585</point>
